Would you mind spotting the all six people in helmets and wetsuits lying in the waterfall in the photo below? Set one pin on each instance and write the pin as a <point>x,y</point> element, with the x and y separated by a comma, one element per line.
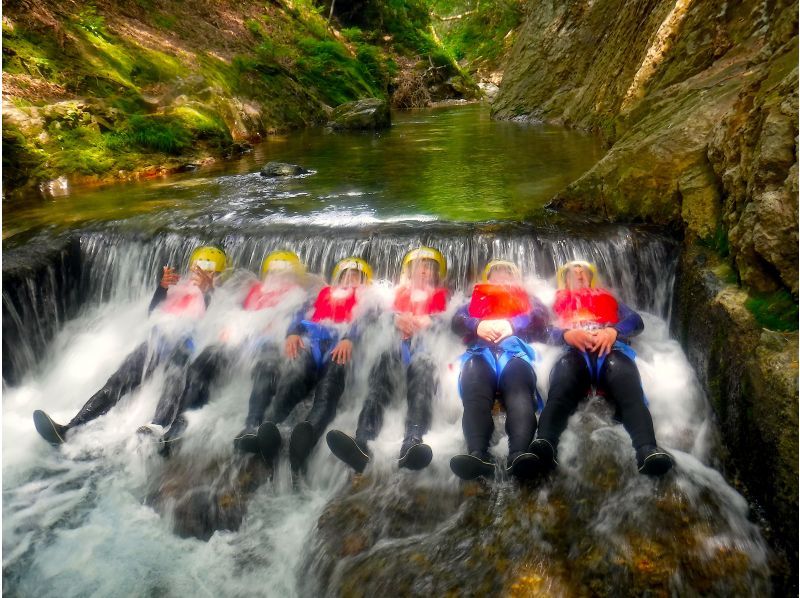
<point>497,326</point>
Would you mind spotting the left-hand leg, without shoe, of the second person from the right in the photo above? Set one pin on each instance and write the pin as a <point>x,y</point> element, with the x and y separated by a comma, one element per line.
<point>478,388</point>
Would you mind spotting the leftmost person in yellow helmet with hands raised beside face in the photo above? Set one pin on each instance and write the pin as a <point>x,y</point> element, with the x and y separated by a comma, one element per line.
<point>175,297</point>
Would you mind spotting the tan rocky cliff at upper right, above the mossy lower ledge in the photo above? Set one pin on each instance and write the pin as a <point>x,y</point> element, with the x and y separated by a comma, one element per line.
<point>698,102</point>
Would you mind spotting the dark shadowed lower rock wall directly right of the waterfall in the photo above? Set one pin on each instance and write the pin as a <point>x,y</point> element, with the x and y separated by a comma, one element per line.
<point>750,377</point>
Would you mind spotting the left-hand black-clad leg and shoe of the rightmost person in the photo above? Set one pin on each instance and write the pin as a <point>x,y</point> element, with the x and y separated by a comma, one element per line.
<point>569,382</point>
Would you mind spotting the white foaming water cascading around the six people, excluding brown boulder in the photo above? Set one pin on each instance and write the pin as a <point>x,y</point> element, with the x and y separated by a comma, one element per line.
<point>74,521</point>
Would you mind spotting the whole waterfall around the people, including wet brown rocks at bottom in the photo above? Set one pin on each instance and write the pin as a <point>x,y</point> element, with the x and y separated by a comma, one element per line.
<point>97,515</point>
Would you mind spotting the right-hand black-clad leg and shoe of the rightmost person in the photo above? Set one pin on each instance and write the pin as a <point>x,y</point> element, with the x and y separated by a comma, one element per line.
<point>620,379</point>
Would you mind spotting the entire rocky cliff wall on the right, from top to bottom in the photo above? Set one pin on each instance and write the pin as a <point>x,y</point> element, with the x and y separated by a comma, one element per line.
<point>698,104</point>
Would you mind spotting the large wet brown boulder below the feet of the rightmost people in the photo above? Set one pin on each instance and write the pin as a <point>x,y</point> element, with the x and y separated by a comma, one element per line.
<point>594,527</point>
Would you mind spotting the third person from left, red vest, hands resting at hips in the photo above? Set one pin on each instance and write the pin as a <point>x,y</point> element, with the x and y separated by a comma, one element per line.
<point>319,345</point>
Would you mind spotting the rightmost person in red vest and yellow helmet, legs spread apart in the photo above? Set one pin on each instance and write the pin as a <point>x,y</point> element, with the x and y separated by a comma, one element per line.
<point>595,330</point>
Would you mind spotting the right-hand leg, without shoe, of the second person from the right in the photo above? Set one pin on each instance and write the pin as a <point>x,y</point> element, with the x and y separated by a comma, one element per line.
<point>518,393</point>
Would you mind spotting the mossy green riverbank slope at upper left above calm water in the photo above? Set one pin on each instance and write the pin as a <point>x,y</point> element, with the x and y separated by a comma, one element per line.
<point>129,90</point>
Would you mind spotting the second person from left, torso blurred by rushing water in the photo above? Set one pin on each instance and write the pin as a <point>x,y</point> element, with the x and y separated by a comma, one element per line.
<point>281,278</point>
